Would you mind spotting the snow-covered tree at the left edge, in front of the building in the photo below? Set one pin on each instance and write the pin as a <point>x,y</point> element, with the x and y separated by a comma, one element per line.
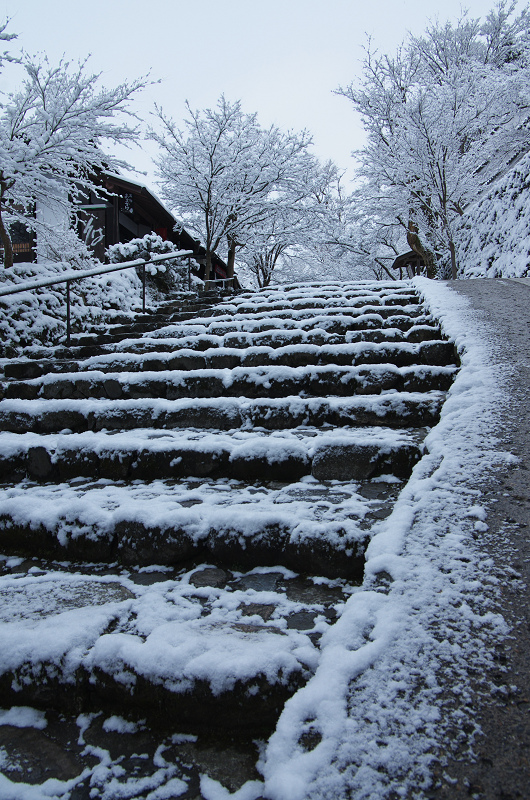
<point>51,135</point>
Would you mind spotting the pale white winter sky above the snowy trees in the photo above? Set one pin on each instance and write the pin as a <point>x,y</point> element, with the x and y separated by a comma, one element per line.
<point>281,58</point>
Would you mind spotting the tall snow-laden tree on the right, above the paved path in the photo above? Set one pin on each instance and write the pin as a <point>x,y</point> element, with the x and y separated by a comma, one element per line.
<point>443,117</point>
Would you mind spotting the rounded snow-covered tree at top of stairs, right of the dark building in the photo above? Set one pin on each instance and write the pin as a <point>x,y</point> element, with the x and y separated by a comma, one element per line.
<point>225,175</point>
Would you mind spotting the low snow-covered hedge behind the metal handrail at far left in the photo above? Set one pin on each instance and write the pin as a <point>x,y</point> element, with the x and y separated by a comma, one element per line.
<point>38,317</point>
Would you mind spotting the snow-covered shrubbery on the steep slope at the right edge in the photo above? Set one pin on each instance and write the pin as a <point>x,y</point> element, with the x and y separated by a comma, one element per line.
<point>494,239</point>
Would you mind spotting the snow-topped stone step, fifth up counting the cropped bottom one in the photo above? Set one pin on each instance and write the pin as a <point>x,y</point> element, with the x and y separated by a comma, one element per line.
<point>395,410</point>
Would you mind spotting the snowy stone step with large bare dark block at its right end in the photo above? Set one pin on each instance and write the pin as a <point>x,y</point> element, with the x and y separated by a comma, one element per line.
<point>353,454</point>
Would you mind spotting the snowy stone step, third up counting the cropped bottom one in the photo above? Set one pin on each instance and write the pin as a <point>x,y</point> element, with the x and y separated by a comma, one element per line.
<point>312,527</point>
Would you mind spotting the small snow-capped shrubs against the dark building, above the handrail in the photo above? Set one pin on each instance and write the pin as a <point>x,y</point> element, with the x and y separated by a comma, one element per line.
<point>169,276</point>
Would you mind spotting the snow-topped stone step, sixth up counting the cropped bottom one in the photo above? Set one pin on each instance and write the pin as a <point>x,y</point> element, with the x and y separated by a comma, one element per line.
<point>250,382</point>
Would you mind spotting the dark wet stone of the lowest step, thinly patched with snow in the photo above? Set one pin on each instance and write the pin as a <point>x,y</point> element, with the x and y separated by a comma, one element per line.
<point>110,756</point>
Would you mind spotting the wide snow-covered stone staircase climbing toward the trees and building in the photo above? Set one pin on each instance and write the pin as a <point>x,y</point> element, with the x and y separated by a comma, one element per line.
<point>184,511</point>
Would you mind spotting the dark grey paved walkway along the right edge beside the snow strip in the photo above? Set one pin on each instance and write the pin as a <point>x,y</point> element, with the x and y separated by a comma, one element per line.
<point>502,770</point>
